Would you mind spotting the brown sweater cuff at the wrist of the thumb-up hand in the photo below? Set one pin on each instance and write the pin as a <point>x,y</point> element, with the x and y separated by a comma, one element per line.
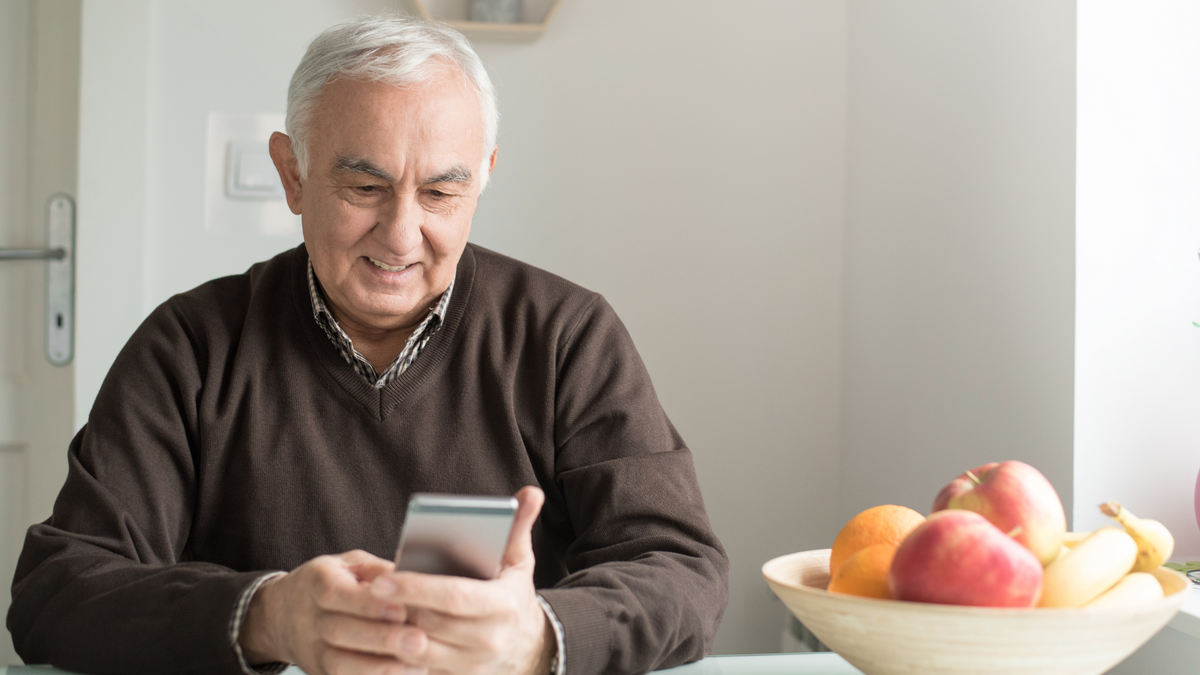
<point>587,630</point>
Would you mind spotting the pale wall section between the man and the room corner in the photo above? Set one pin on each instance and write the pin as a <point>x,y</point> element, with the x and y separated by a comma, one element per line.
<point>688,163</point>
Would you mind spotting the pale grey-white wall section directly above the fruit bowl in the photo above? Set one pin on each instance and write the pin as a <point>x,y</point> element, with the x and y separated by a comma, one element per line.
<point>959,246</point>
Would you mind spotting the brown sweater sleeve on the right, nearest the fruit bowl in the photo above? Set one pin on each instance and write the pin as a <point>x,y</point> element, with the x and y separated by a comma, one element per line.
<point>647,580</point>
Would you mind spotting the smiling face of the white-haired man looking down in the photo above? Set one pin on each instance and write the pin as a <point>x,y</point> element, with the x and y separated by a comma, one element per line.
<point>394,178</point>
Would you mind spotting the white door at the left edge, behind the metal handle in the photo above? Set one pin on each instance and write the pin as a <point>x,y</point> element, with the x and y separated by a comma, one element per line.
<point>39,130</point>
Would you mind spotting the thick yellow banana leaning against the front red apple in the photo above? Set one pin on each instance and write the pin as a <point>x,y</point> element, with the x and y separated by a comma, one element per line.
<point>1093,568</point>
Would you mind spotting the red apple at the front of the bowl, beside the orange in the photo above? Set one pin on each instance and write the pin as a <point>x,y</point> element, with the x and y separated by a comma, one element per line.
<point>958,558</point>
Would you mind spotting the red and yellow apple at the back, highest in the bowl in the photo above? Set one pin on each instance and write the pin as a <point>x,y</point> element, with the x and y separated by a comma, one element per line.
<point>1016,498</point>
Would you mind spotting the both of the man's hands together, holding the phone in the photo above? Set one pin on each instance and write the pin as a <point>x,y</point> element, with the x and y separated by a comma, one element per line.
<point>353,613</point>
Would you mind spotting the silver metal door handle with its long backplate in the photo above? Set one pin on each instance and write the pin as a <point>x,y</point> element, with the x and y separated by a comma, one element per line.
<point>59,277</point>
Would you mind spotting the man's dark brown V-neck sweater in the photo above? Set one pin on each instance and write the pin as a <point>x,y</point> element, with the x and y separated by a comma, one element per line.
<point>231,439</point>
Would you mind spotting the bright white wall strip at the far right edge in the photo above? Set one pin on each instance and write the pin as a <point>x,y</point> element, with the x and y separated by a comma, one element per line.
<point>1138,354</point>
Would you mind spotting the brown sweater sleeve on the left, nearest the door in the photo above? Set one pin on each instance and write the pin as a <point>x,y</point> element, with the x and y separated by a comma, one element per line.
<point>105,586</point>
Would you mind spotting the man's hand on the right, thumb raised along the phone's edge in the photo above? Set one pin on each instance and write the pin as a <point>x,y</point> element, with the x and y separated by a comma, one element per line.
<point>465,626</point>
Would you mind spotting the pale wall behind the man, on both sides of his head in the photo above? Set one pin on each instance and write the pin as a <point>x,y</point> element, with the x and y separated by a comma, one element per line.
<point>682,158</point>
